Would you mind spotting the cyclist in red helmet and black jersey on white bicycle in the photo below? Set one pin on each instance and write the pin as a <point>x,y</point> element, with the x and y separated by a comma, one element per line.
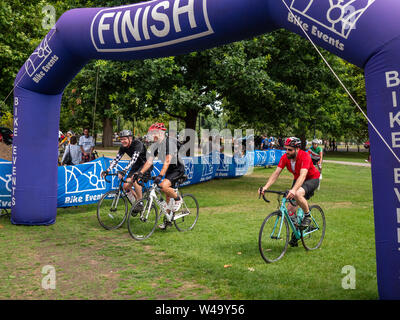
<point>167,150</point>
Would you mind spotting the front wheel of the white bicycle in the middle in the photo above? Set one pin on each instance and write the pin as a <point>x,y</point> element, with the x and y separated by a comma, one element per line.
<point>138,227</point>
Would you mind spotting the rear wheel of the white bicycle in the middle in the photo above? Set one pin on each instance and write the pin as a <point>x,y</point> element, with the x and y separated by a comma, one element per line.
<point>187,216</point>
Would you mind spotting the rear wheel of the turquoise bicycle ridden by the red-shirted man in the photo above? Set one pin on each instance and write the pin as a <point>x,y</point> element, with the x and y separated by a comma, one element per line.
<point>313,240</point>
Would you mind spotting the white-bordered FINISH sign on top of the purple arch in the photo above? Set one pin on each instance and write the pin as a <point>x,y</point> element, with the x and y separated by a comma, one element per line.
<point>149,25</point>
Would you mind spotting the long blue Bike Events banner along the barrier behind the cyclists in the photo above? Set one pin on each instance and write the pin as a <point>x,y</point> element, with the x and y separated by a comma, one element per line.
<point>82,184</point>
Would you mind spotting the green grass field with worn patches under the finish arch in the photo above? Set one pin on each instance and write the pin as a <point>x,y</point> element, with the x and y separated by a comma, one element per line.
<point>92,263</point>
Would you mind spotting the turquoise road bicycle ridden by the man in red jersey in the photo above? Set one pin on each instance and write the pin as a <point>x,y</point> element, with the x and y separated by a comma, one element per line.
<point>274,233</point>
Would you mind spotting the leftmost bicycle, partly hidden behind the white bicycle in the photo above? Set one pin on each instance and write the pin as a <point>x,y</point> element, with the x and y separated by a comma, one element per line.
<point>112,208</point>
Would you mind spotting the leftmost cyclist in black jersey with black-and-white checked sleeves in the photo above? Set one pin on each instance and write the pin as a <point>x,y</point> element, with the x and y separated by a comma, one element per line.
<point>137,151</point>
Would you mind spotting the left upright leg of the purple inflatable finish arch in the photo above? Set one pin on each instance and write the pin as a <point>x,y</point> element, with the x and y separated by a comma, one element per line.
<point>34,157</point>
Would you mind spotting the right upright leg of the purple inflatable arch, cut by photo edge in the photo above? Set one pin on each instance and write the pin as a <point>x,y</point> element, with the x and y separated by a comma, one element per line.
<point>382,74</point>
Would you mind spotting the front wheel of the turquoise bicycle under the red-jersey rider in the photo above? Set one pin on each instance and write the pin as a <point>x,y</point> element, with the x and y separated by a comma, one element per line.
<point>273,238</point>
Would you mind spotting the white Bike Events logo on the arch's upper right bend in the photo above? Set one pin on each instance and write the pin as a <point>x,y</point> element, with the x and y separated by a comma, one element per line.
<point>338,16</point>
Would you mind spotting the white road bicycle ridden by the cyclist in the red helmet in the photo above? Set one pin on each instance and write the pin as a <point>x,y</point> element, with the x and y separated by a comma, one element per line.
<point>141,224</point>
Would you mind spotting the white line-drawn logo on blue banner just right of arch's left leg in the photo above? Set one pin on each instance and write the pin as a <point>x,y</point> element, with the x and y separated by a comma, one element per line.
<point>86,180</point>
